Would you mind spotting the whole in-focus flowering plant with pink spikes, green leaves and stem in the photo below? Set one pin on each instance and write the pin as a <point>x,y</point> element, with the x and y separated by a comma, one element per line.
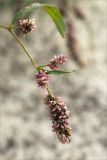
<point>57,108</point>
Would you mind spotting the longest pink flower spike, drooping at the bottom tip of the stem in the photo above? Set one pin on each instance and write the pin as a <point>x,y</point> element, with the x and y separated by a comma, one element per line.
<point>59,116</point>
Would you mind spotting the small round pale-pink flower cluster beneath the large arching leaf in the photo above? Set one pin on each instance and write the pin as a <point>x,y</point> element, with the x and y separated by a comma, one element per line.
<point>26,25</point>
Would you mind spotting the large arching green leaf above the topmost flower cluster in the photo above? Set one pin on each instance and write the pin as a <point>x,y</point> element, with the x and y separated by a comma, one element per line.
<point>52,11</point>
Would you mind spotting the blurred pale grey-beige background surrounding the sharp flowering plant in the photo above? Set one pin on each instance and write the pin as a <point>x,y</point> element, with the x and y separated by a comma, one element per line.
<point>25,128</point>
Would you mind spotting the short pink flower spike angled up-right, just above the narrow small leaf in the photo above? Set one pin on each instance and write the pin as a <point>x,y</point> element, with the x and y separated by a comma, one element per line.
<point>56,61</point>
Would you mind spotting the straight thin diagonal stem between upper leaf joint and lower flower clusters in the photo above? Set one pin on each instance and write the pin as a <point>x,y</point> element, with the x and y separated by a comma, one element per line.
<point>27,53</point>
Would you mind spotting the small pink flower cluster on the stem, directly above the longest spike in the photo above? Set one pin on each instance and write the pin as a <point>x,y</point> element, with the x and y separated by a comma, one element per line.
<point>41,78</point>
